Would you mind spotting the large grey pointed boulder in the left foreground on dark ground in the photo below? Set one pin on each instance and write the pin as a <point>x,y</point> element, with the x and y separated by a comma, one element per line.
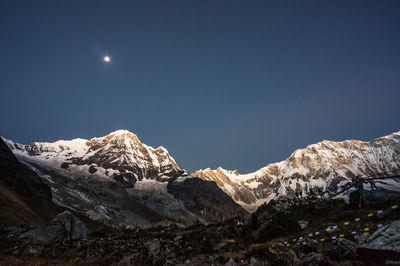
<point>65,226</point>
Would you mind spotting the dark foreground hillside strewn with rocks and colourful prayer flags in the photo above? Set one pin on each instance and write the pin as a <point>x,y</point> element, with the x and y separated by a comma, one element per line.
<point>272,236</point>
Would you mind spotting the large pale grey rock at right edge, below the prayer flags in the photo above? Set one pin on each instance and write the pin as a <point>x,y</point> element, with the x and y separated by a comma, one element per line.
<point>386,238</point>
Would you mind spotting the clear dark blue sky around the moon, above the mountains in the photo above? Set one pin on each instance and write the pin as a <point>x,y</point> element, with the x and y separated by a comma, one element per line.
<point>237,84</point>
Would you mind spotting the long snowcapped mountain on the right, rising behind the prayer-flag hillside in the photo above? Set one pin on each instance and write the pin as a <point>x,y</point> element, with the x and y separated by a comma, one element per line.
<point>325,165</point>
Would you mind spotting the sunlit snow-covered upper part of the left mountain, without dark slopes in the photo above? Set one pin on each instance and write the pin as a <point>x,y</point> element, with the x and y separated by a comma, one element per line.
<point>119,153</point>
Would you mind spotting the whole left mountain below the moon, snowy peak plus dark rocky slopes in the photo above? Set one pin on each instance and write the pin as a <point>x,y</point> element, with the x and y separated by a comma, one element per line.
<point>122,182</point>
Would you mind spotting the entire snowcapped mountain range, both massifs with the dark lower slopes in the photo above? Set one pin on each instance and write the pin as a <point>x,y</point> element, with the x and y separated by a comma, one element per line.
<point>120,181</point>
